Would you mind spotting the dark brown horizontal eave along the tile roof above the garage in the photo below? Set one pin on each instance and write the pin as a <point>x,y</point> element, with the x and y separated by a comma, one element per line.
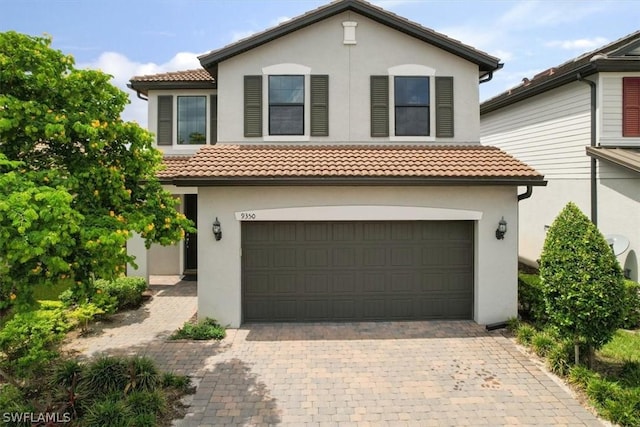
<point>356,181</point>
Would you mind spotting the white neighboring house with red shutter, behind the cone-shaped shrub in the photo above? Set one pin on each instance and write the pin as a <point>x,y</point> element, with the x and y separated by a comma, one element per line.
<point>579,125</point>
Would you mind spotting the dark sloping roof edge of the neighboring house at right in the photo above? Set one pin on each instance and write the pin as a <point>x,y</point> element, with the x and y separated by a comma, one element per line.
<point>604,58</point>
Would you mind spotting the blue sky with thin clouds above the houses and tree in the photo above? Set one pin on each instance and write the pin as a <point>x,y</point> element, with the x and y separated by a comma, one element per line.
<point>133,37</point>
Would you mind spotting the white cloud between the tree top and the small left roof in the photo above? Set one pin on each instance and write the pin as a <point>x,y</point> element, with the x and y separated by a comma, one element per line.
<point>123,68</point>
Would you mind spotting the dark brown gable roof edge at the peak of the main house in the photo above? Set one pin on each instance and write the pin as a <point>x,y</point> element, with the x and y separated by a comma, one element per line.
<point>484,61</point>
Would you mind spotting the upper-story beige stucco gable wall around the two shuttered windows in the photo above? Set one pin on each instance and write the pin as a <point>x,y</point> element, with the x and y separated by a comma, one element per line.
<point>349,68</point>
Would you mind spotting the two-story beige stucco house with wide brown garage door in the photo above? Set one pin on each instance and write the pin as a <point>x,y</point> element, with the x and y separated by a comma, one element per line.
<point>339,175</point>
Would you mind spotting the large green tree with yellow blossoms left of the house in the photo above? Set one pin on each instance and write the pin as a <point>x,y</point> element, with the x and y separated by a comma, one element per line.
<point>86,180</point>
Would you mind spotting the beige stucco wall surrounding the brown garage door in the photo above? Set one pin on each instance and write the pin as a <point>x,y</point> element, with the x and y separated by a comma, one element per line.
<point>219,279</point>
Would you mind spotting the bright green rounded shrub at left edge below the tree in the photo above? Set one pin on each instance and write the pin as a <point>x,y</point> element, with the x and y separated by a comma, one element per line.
<point>29,339</point>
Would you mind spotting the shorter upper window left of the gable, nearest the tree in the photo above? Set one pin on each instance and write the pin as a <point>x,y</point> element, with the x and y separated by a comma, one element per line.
<point>192,120</point>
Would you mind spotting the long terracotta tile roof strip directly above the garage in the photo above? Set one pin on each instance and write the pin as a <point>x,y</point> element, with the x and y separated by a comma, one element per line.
<point>224,161</point>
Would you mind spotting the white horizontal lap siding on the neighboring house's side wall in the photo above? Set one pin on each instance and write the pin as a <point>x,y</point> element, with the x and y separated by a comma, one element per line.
<point>549,131</point>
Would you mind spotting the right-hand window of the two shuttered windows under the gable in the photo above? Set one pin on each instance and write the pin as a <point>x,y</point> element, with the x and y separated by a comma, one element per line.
<point>411,102</point>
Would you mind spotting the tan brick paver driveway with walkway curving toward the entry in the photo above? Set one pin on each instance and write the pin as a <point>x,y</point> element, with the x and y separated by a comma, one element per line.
<point>355,374</point>
